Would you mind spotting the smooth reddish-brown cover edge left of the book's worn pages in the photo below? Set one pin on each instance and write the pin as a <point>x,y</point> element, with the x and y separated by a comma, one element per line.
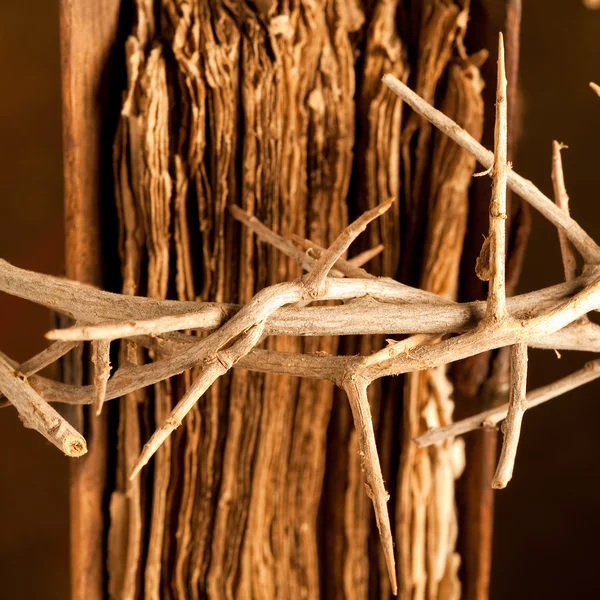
<point>88,31</point>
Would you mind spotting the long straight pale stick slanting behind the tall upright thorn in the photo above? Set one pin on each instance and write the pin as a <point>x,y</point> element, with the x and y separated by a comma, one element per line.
<point>522,187</point>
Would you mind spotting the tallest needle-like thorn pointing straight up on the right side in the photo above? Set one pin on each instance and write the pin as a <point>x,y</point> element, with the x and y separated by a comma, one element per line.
<point>496,302</point>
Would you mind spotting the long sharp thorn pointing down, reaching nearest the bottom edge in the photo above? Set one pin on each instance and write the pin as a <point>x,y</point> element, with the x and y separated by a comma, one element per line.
<point>356,389</point>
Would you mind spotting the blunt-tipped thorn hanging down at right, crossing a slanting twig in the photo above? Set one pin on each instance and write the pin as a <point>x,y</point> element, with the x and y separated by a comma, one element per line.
<point>517,406</point>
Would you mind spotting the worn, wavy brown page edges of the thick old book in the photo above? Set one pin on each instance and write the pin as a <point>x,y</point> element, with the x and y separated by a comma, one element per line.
<point>278,108</point>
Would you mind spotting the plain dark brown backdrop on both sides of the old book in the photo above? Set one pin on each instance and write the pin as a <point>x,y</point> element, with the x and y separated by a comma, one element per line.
<point>547,521</point>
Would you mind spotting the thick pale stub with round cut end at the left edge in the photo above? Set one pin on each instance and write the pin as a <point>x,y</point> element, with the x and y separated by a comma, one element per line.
<point>37,414</point>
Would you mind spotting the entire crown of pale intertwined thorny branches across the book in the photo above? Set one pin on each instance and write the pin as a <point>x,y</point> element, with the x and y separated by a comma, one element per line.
<point>439,331</point>
